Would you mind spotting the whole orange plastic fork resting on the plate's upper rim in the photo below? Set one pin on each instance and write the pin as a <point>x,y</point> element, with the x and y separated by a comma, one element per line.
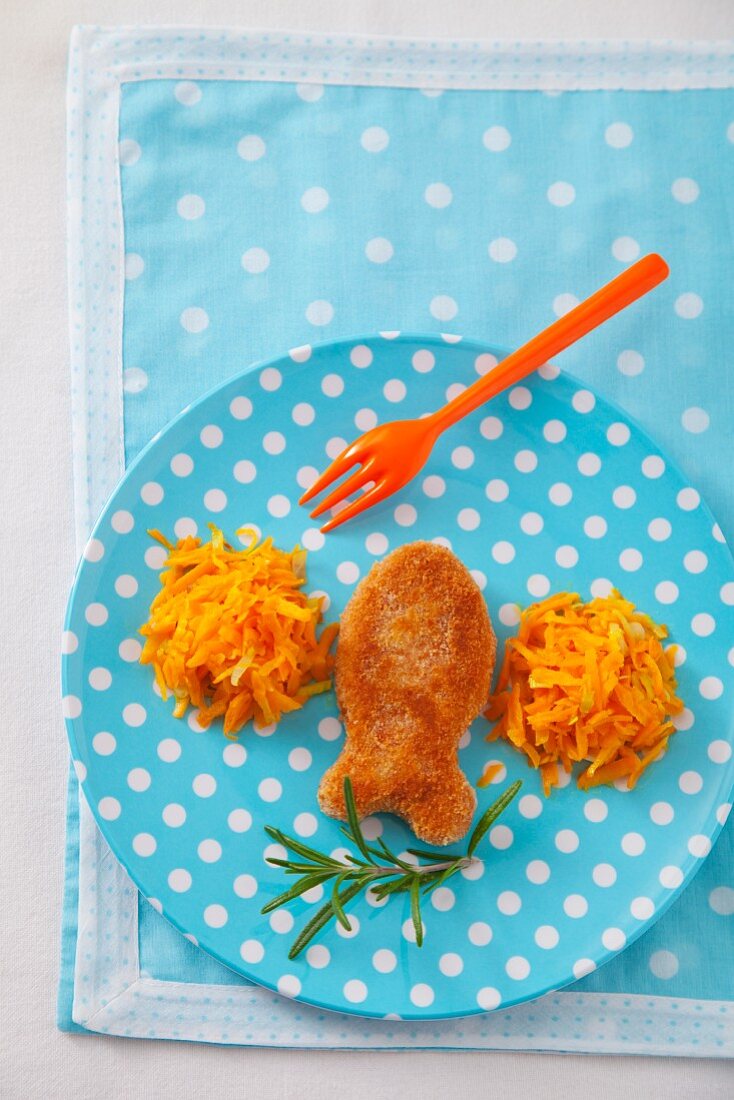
<point>392,454</point>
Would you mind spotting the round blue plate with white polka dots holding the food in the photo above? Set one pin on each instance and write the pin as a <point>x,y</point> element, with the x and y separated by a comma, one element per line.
<point>550,488</point>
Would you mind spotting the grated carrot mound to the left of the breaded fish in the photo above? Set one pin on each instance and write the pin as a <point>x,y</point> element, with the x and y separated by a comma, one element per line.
<point>233,634</point>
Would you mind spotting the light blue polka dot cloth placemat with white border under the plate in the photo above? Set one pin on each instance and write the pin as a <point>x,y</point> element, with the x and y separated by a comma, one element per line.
<point>273,192</point>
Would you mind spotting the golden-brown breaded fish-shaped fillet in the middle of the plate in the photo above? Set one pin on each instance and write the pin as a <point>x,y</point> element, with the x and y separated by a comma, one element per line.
<point>414,666</point>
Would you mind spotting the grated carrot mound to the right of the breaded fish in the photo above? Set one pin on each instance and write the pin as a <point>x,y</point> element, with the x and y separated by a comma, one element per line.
<point>587,683</point>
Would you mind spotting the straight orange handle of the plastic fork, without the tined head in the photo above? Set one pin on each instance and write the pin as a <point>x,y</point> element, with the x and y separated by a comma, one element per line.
<point>588,315</point>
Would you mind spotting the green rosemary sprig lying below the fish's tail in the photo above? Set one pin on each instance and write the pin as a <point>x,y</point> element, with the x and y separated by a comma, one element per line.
<point>376,867</point>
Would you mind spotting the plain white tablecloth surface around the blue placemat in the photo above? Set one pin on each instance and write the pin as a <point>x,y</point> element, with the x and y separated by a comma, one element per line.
<point>36,1060</point>
